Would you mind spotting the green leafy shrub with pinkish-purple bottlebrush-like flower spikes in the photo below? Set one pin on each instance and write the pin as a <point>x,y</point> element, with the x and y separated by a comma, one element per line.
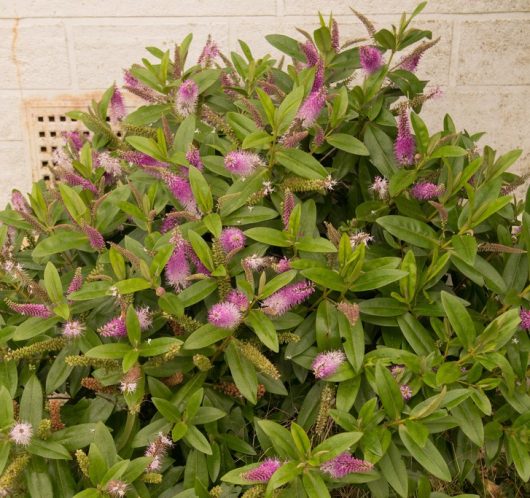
<point>268,280</point>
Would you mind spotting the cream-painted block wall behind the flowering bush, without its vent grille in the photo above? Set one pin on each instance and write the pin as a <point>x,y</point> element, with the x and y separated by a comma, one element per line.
<point>61,47</point>
